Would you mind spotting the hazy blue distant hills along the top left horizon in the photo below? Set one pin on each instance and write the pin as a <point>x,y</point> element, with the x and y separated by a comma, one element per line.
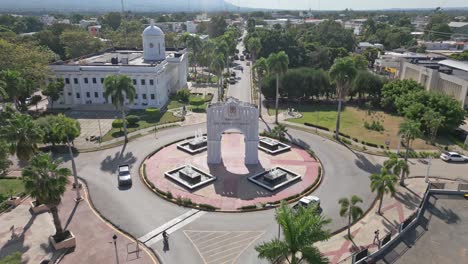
<point>114,5</point>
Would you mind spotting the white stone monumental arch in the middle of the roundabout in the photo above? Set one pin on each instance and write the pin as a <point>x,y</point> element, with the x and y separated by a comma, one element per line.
<point>232,114</point>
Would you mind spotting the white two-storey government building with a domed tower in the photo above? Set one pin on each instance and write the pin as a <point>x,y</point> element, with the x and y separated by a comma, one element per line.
<point>156,73</point>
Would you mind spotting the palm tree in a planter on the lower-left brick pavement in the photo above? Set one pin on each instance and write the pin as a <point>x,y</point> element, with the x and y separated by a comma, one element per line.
<point>45,181</point>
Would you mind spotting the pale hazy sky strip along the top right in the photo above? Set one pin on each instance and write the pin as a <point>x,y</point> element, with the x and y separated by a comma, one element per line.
<point>352,4</point>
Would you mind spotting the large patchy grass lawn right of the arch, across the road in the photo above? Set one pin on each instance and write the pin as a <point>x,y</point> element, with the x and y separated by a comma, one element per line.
<point>352,123</point>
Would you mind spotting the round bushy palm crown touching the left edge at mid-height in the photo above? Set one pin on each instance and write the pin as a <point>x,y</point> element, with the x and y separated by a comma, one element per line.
<point>22,135</point>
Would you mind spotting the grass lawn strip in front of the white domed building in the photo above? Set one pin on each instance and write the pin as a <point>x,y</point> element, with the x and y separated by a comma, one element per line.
<point>146,120</point>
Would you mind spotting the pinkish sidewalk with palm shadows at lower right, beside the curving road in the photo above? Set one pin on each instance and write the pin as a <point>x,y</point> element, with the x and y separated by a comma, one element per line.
<point>395,210</point>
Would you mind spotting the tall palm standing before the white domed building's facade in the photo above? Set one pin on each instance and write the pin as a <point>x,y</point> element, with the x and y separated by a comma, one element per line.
<point>117,87</point>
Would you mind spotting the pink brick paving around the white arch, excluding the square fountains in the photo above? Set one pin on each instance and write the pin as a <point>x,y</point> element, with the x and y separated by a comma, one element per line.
<point>232,189</point>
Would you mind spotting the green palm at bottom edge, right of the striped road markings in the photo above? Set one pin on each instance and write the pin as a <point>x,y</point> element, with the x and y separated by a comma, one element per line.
<point>301,230</point>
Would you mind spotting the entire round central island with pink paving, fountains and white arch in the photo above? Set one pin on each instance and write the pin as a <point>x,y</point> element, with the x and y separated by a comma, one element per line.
<point>230,171</point>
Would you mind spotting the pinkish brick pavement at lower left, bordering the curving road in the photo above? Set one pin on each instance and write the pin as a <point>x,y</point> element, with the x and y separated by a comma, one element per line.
<point>94,237</point>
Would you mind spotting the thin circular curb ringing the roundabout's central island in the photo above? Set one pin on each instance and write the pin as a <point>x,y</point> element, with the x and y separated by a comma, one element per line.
<point>315,185</point>
